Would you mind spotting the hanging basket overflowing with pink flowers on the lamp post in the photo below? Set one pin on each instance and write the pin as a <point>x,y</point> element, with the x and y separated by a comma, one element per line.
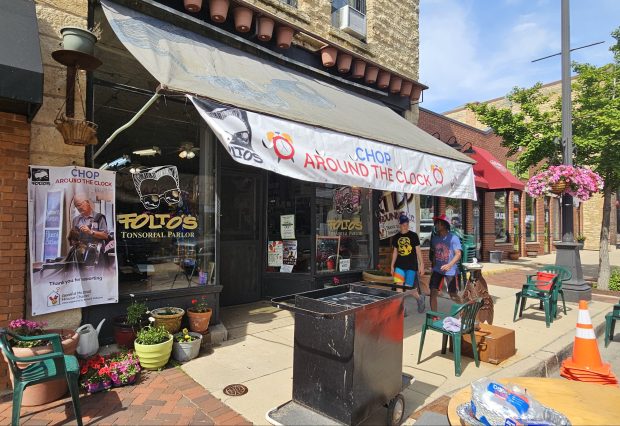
<point>579,182</point>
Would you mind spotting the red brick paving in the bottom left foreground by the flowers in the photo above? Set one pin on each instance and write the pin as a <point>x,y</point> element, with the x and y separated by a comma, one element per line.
<point>168,397</point>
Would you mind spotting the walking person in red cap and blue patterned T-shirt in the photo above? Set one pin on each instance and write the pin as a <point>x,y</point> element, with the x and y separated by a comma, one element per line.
<point>447,252</point>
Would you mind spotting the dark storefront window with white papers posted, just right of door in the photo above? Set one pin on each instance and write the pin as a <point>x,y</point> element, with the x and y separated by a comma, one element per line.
<point>288,224</point>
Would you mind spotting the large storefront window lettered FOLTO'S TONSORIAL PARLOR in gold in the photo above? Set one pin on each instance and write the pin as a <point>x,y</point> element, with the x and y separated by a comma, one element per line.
<point>165,221</point>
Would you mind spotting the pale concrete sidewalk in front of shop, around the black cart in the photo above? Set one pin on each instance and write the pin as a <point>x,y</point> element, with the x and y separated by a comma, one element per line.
<point>259,352</point>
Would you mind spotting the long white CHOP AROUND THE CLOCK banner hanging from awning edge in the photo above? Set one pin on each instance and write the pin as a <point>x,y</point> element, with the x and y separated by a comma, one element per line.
<point>319,155</point>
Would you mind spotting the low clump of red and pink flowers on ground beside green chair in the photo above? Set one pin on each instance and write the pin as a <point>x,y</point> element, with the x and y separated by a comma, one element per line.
<point>99,373</point>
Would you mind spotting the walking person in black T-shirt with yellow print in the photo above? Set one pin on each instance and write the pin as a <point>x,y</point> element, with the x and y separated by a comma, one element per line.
<point>407,260</point>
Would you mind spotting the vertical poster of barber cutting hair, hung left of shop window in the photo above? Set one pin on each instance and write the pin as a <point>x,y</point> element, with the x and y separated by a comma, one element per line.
<point>71,237</point>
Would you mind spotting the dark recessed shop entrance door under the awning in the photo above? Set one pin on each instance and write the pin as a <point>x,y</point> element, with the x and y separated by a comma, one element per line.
<point>240,244</point>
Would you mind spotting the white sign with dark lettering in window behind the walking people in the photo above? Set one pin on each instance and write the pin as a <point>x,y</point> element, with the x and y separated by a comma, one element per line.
<point>391,207</point>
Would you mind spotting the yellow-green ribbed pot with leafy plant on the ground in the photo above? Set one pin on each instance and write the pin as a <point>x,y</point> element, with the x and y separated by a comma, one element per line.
<point>153,346</point>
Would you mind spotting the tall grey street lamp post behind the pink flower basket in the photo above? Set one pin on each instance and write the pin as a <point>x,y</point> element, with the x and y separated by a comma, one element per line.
<point>567,253</point>
